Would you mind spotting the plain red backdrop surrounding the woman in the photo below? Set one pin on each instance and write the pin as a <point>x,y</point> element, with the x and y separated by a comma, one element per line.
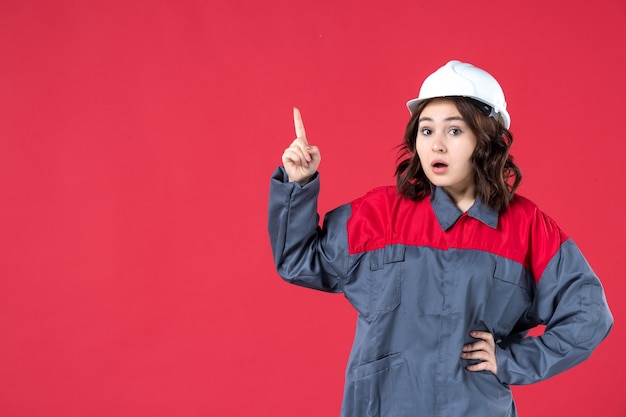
<point>136,144</point>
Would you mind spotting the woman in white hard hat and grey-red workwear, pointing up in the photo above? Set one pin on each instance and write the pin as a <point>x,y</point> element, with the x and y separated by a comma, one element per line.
<point>448,270</point>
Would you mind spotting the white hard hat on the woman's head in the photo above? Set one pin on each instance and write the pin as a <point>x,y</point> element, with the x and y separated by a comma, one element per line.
<point>461,79</point>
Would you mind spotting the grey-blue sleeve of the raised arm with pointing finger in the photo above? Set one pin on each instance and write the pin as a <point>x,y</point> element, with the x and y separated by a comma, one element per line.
<point>304,253</point>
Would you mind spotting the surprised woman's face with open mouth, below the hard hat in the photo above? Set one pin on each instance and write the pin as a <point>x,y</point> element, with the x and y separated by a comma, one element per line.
<point>445,144</point>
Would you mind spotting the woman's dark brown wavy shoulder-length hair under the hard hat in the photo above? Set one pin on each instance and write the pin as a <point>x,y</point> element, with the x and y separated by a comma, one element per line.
<point>496,175</point>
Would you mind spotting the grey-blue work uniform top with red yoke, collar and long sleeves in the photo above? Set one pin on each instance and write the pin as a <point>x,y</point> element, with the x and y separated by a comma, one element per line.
<point>421,276</point>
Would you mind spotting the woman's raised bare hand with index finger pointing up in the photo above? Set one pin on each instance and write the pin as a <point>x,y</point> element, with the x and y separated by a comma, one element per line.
<point>300,159</point>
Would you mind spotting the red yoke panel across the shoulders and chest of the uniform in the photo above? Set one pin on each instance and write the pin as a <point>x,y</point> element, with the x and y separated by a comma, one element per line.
<point>524,233</point>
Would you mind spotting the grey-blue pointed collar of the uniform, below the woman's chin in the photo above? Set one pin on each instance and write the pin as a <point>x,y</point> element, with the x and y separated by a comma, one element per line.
<point>448,213</point>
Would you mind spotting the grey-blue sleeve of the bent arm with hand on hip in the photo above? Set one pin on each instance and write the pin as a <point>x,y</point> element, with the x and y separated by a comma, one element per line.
<point>570,301</point>
